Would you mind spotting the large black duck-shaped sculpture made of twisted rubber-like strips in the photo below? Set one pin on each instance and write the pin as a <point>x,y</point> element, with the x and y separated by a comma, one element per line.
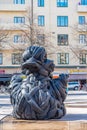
<point>37,96</point>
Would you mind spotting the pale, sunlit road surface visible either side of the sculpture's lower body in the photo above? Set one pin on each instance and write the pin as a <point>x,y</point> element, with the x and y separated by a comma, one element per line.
<point>76,106</point>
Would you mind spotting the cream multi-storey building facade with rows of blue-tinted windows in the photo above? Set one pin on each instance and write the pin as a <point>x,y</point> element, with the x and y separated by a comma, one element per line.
<point>65,20</point>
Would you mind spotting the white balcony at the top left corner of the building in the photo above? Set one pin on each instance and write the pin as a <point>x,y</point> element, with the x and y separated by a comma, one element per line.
<point>13,7</point>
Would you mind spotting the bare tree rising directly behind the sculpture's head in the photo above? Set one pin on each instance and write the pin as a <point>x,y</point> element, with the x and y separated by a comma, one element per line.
<point>32,34</point>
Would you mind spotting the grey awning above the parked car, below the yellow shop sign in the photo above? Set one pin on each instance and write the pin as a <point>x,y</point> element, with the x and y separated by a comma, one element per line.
<point>78,77</point>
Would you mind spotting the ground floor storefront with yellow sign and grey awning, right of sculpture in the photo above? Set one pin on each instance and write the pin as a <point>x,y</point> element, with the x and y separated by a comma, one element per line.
<point>75,74</point>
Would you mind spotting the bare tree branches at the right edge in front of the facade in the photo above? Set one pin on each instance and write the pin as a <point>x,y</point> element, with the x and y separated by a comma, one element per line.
<point>79,35</point>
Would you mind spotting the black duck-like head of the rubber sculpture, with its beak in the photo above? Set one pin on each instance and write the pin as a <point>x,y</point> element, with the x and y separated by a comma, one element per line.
<point>35,60</point>
